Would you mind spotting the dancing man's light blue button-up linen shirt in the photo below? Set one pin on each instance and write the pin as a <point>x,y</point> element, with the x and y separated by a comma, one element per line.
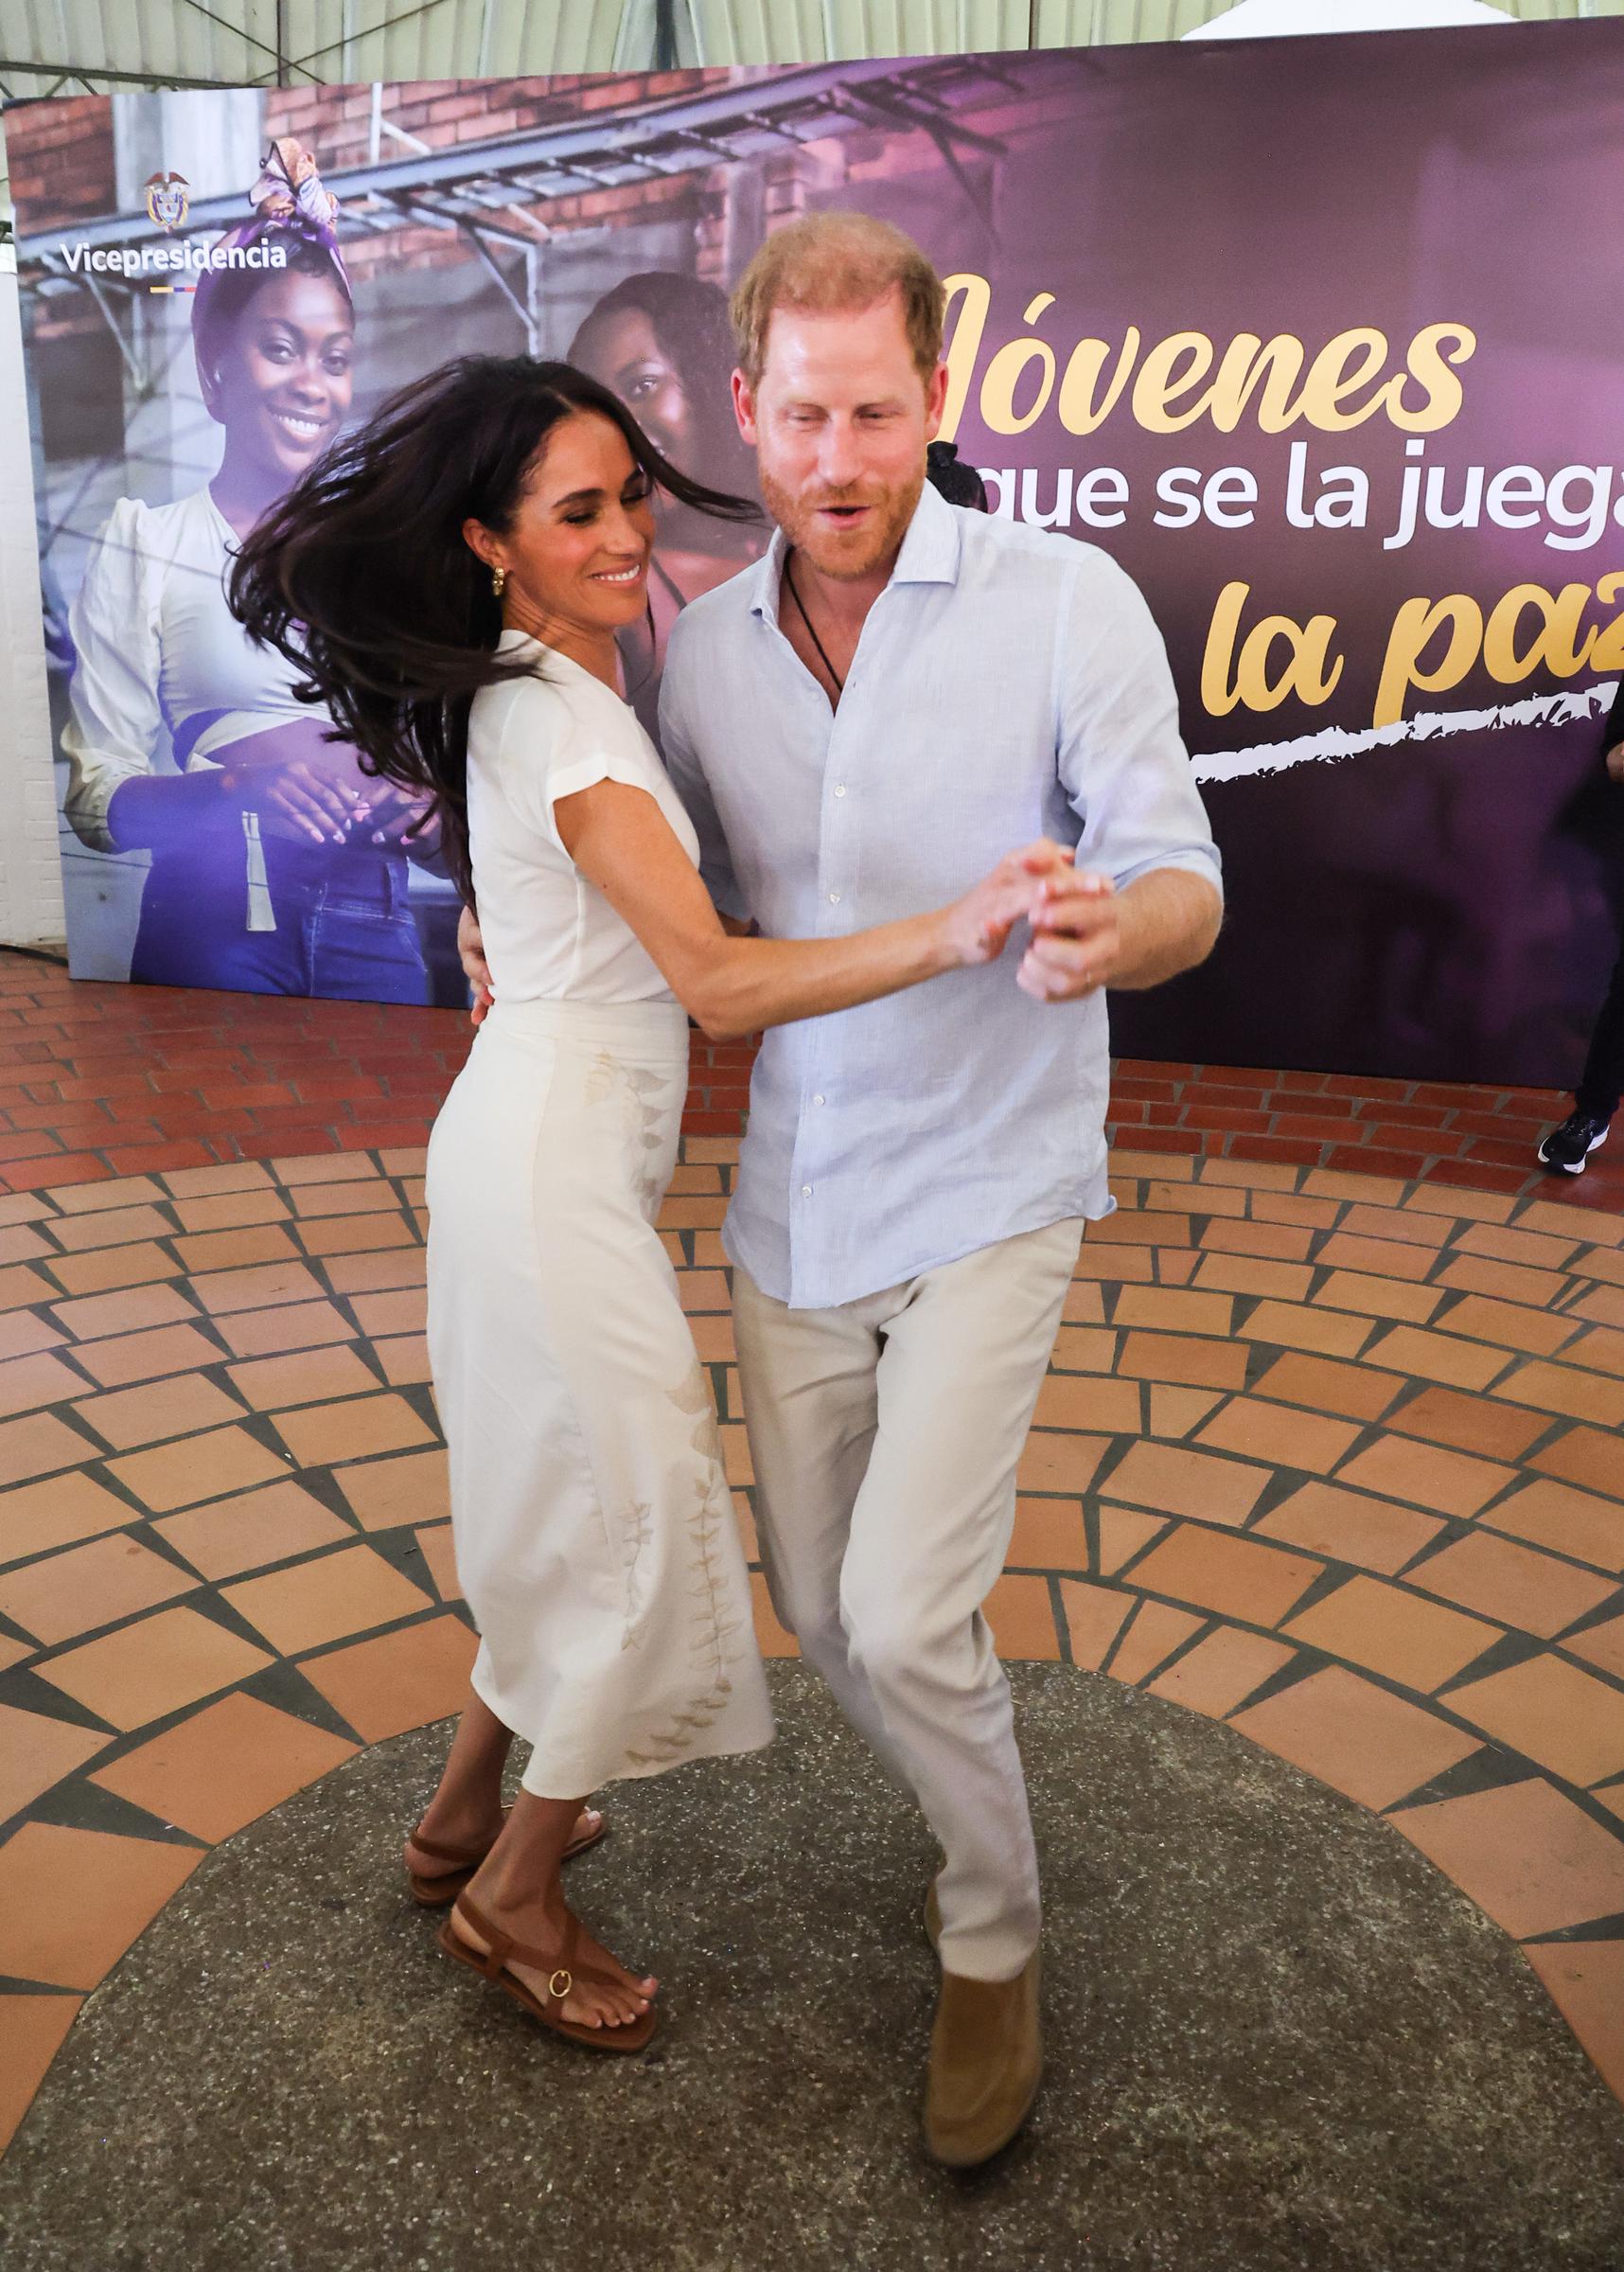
<point>1010,685</point>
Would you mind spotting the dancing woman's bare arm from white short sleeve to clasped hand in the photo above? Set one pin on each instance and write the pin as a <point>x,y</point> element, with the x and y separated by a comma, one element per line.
<point>623,844</point>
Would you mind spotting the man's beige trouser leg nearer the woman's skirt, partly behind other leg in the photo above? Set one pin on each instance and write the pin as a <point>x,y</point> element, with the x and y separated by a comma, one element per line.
<point>810,1387</point>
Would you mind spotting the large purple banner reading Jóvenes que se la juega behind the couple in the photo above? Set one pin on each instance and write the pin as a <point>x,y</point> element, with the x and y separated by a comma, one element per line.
<point>1316,337</point>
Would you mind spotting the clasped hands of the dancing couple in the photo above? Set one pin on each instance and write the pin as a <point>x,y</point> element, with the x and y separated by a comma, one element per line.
<point>1075,921</point>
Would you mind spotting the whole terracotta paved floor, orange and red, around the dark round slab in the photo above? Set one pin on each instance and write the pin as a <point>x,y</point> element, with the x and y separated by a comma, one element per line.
<point>1330,1455</point>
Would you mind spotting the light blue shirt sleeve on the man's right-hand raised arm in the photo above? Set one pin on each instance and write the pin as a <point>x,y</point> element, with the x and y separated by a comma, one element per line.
<point>1121,755</point>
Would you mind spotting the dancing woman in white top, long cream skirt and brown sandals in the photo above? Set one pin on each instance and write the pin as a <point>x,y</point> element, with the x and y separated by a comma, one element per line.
<point>453,583</point>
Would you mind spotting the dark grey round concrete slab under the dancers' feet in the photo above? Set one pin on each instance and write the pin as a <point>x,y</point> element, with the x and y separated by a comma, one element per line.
<point>1278,2044</point>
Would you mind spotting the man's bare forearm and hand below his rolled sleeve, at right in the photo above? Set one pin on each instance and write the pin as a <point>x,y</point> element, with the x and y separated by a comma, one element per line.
<point>1089,935</point>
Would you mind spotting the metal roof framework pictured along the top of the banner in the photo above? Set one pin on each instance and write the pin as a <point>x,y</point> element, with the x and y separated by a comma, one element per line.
<point>487,192</point>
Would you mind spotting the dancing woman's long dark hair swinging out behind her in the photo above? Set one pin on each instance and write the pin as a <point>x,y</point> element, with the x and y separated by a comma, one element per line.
<point>365,583</point>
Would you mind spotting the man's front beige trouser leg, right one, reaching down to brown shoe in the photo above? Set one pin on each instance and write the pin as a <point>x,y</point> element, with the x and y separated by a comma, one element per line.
<point>957,1387</point>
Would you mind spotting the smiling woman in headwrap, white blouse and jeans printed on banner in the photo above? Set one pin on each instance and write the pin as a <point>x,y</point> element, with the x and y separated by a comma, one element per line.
<point>276,867</point>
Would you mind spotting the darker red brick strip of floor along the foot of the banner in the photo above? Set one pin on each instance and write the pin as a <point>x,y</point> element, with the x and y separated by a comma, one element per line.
<point>122,1083</point>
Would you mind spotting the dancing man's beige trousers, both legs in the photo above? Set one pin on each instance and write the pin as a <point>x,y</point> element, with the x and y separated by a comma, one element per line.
<point>885,1437</point>
